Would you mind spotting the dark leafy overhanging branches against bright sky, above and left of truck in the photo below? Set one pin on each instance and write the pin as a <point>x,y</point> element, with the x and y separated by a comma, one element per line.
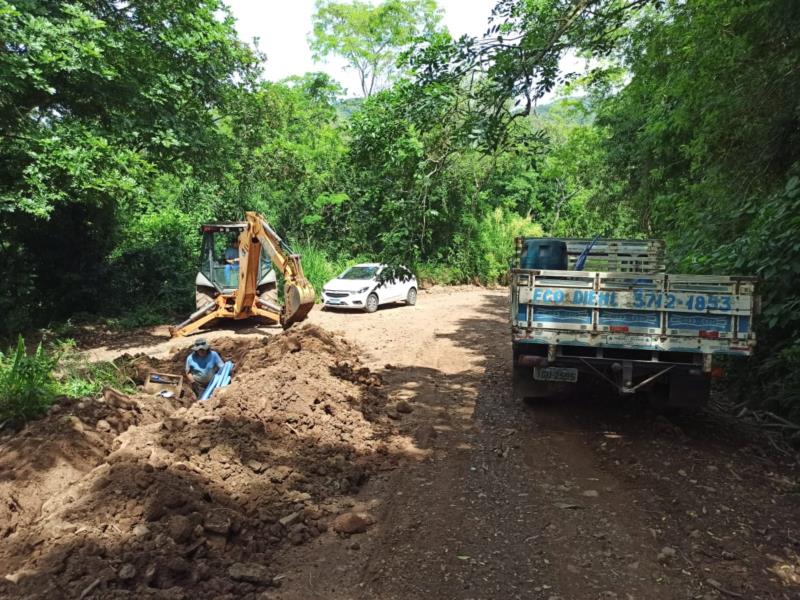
<point>510,68</point>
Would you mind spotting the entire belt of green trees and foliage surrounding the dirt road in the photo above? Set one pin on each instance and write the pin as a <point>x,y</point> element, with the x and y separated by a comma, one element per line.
<point>126,125</point>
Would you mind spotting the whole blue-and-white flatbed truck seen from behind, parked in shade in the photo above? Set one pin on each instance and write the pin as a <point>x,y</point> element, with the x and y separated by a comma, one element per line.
<point>623,322</point>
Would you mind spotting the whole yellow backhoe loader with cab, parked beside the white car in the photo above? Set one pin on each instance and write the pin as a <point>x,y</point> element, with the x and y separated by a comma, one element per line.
<point>239,284</point>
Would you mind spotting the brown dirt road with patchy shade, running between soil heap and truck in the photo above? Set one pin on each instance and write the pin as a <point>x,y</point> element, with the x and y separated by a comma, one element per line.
<point>590,499</point>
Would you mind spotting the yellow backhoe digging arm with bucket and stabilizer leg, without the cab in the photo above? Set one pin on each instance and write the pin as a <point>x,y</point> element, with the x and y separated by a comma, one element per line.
<point>244,302</point>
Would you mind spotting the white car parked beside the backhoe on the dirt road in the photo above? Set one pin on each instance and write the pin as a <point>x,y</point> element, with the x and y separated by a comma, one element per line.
<point>369,285</point>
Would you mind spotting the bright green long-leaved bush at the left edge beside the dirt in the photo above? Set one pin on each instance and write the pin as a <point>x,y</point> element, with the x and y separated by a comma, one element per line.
<point>27,384</point>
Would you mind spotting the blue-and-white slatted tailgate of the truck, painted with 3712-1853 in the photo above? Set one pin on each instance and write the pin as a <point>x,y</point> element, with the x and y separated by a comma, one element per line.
<point>706,314</point>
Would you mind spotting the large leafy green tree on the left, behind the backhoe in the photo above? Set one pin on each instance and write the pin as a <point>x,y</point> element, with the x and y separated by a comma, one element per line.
<point>98,101</point>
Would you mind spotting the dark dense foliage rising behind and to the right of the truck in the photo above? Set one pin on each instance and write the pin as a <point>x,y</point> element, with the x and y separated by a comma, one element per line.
<point>704,148</point>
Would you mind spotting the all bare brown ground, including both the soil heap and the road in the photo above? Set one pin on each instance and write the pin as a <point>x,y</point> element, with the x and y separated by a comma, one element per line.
<point>381,456</point>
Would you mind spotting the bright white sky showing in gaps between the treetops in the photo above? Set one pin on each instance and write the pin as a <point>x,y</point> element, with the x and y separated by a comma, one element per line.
<point>282,27</point>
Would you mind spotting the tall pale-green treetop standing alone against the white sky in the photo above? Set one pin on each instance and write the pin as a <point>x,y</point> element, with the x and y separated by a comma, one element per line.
<point>370,38</point>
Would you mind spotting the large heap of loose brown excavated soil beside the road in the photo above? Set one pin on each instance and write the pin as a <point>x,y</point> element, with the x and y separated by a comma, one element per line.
<point>139,498</point>
